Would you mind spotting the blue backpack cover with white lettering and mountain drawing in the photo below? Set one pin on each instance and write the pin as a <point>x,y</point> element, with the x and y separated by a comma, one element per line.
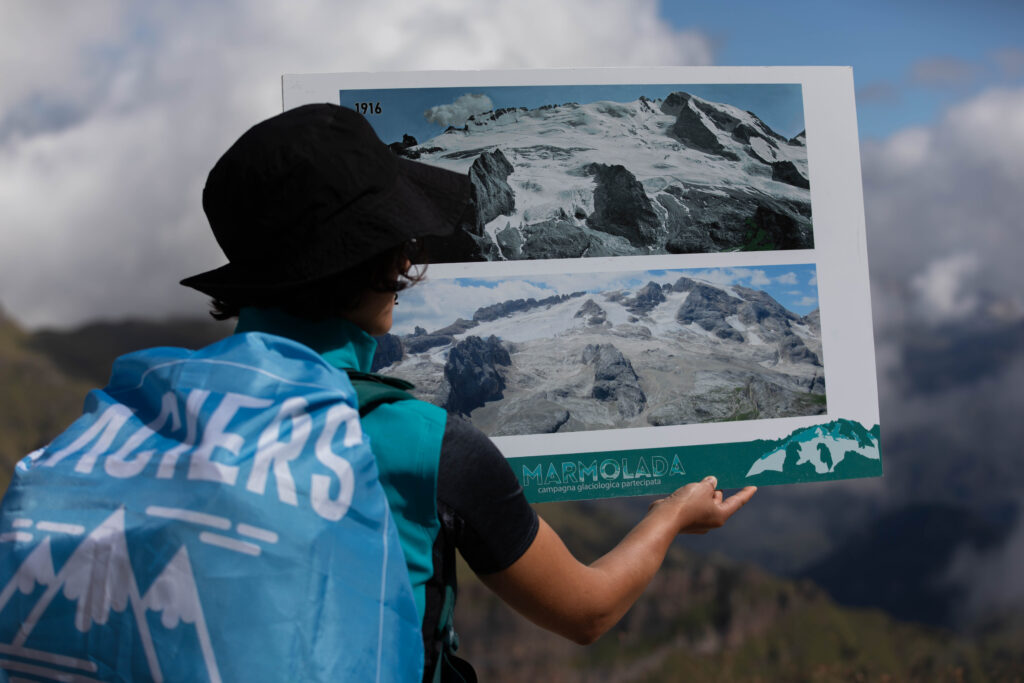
<point>215,516</point>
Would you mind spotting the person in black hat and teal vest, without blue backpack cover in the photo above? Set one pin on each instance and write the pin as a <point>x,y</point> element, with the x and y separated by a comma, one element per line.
<point>323,227</point>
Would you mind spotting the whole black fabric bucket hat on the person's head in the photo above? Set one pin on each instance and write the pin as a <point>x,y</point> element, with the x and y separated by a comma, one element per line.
<point>314,192</point>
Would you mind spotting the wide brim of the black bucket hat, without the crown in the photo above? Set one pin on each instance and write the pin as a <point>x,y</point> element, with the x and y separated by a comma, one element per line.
<point>424,201</point>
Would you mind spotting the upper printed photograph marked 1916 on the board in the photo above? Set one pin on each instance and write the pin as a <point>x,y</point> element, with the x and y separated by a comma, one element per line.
<point>610,170</point>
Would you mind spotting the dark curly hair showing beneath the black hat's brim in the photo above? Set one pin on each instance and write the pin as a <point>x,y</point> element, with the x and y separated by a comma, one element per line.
<point>392,271</point>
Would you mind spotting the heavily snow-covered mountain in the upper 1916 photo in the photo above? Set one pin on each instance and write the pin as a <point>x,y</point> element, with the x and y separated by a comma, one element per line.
<point>652,177</point>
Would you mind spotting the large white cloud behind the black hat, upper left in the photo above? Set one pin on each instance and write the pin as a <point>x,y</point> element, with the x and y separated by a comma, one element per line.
<point>110,124</point>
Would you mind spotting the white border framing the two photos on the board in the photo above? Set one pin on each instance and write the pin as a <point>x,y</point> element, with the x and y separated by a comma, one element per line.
<point>840,243</point>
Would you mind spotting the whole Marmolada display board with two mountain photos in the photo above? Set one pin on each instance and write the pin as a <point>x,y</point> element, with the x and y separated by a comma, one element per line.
<point>665,277</point>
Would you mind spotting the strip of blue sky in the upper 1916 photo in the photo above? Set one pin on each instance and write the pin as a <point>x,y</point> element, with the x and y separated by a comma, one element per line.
<point>403,110</point>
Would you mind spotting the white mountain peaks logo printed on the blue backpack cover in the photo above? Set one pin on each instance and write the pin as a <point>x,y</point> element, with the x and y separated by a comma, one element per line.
<point>99,578</point>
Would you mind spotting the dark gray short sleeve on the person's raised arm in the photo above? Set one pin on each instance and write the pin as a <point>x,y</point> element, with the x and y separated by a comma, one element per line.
<point>493,524</point>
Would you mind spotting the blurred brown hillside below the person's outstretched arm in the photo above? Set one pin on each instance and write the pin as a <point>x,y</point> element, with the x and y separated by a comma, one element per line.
<point>707,618</point>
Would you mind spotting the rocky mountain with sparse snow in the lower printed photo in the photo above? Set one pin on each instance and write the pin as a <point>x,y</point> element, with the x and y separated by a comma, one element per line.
<point>673,354</point>
